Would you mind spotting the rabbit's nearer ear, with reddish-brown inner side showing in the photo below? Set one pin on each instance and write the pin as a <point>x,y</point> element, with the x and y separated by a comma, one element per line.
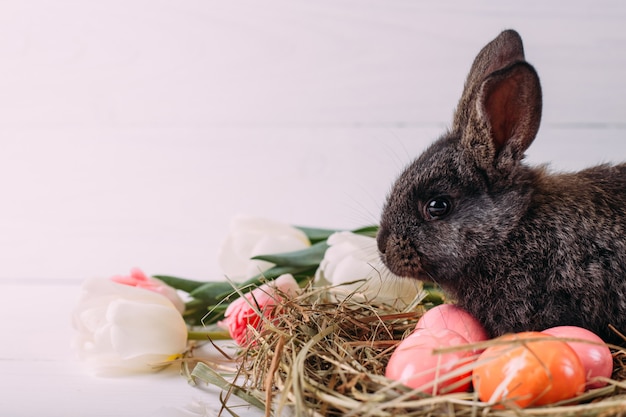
<point>505,117</point>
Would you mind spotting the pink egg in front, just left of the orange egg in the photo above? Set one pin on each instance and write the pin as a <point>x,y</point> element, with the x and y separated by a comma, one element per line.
<point>414,363</point>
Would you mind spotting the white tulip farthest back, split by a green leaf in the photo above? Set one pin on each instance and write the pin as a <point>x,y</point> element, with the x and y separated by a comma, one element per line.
<point>252,236</point>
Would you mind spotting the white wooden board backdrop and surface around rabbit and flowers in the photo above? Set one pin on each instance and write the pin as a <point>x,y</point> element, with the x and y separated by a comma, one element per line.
<point>132,131</point>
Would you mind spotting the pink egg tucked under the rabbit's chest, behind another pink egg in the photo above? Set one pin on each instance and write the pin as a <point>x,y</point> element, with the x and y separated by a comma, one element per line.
<point>451,317</point>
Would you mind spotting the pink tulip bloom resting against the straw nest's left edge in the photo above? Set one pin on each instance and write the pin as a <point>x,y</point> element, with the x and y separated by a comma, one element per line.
<point>250,310</point>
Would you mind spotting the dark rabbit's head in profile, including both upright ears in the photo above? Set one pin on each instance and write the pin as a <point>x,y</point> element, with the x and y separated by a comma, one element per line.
<point>468,190</point>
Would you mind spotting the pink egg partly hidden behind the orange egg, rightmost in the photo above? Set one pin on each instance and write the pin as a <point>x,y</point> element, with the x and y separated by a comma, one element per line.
<point>595,356</point>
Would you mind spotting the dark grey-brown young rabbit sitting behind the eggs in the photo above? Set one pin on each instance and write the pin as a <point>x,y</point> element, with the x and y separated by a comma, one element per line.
<point>518,247</point>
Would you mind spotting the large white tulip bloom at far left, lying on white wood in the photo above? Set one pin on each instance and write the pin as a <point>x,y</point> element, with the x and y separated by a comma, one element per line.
<point>126,329</point>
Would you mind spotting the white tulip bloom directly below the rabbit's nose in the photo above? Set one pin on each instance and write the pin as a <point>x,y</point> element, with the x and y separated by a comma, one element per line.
<point>353,258</point>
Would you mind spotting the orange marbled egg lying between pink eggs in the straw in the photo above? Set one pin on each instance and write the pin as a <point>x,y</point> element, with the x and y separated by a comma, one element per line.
<point>528,371</point>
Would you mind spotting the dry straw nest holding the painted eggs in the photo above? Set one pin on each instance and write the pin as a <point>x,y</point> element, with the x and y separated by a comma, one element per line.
<point>320,357</point>
